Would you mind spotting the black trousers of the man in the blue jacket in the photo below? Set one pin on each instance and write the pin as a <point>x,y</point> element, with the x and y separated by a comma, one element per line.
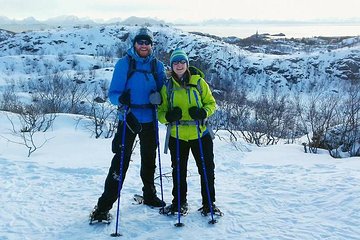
<point>148,155</point>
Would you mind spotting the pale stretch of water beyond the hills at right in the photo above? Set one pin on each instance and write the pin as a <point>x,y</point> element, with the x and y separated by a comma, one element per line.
<point>290,30</point>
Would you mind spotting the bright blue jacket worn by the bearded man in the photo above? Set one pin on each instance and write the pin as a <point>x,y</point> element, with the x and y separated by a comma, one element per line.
<point>141,84</point>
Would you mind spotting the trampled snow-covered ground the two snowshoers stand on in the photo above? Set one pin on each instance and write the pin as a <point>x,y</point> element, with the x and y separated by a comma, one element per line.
<point>276,192</point>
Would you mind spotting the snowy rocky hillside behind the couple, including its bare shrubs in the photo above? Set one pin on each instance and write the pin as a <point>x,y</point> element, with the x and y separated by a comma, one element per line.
<point>299,70</point>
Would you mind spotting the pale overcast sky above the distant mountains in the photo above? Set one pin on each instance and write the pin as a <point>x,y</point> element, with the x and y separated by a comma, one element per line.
<point>171,10</point>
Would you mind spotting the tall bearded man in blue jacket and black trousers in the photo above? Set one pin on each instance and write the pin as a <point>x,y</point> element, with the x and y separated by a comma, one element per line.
<point>136,82</point>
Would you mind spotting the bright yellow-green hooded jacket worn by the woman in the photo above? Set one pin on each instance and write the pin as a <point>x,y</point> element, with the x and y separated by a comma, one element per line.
<point>184,98</point>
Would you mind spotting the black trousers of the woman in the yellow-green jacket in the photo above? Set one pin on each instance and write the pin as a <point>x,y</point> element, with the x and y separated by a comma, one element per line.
<point>185,146</point>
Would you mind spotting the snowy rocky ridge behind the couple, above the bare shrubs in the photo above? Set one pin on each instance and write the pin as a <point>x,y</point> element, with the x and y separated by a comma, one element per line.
<point>256,64</point>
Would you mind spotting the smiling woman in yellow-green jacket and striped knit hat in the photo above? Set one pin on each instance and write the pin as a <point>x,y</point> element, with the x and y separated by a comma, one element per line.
<point>187,99</point>
